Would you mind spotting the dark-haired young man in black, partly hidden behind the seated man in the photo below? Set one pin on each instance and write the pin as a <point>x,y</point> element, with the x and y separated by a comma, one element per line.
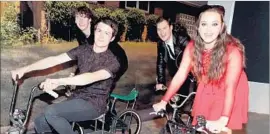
<point>83,19</point>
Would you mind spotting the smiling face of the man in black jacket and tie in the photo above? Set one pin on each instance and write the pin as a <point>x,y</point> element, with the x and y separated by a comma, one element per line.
<point>164,30</point>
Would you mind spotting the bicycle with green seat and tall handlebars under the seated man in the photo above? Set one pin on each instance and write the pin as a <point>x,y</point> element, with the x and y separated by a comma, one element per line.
<point>19,117</point>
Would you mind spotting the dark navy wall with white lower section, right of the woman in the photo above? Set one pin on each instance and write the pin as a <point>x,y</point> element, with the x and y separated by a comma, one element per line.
<point>250,24</point>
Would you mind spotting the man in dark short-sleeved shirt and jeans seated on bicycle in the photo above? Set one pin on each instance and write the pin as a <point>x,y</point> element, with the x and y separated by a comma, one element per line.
<point>97,67</point>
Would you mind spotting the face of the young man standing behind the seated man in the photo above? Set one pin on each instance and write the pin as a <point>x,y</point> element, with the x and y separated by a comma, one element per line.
<point>82,21</point>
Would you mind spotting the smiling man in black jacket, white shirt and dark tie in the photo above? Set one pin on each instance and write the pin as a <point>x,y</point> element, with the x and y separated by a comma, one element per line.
<point>170,49</point>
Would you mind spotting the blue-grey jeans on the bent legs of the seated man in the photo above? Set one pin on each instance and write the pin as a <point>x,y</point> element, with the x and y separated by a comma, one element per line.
<point>61,114</point>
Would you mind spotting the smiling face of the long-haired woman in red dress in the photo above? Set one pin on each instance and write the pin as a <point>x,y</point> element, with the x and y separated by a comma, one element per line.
<point>210,27</point>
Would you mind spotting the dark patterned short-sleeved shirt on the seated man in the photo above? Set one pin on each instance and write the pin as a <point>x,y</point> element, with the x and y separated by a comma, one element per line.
<point>90,61</point>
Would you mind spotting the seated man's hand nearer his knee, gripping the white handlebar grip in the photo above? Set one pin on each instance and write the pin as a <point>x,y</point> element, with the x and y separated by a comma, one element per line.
<point>50,84</point>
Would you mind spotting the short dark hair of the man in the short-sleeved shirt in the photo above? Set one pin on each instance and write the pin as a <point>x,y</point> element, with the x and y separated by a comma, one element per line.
<point>113,24</point>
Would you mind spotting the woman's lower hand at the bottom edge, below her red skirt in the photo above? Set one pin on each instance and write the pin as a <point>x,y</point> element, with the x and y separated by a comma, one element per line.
<point>218,125</point>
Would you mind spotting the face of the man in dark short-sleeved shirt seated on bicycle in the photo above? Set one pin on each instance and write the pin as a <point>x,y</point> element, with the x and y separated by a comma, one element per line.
<point>103,34</point>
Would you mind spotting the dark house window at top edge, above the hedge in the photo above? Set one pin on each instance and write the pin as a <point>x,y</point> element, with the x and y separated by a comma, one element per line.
<point>143,5</point>
